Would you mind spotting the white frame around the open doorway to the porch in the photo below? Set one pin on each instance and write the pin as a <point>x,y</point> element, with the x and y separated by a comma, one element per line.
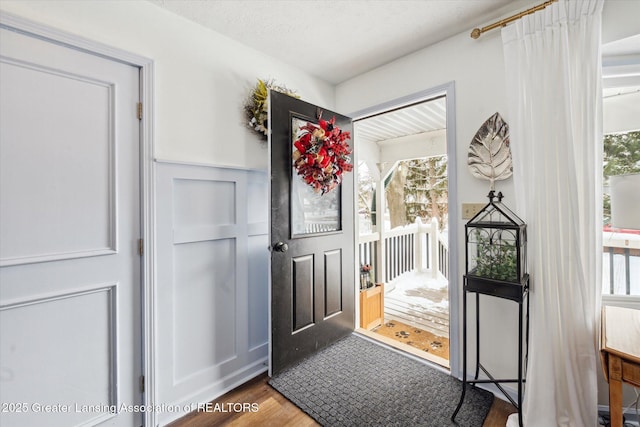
<point>448,90</point>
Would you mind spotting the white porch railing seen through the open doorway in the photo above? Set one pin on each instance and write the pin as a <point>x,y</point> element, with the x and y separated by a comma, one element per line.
<point>417,246</point>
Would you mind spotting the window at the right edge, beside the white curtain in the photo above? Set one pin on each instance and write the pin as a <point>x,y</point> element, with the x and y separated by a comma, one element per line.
<point>621,164</point>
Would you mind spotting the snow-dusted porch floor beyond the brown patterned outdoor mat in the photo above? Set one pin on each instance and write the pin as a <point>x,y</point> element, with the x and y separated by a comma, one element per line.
<point>419,300</point>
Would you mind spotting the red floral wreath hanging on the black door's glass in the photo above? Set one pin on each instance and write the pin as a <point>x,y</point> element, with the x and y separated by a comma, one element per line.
<point>321,155</point>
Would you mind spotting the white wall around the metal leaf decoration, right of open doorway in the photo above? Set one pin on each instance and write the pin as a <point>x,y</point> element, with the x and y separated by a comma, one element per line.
<point>477,68</point>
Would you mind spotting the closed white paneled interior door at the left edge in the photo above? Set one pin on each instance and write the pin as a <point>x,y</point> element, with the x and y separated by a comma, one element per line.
<point>70,344</point>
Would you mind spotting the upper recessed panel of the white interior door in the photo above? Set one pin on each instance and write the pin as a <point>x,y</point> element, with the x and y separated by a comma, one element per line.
<point>87,209</point>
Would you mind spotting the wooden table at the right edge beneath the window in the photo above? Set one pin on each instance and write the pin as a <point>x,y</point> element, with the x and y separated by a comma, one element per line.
<point>620,353</point>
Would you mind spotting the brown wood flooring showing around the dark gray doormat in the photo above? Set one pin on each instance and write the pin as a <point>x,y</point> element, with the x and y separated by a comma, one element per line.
<point>270,408</point>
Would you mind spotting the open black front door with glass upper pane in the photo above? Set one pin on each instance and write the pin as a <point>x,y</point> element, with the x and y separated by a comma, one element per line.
<point>312,238</point>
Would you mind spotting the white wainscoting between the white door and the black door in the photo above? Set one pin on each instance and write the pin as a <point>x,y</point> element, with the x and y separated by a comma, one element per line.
<point>213,272</point>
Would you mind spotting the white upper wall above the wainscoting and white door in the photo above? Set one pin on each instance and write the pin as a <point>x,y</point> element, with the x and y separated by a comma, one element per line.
<point>201,77</point>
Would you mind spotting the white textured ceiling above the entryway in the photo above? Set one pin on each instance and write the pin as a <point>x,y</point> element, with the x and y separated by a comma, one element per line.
<point>338,39</point>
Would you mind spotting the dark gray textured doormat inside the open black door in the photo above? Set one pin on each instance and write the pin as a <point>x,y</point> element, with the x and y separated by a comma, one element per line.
<point>355,382</point>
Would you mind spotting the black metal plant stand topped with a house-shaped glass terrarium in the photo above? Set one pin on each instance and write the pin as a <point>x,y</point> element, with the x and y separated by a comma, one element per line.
<point>496,237</point>
